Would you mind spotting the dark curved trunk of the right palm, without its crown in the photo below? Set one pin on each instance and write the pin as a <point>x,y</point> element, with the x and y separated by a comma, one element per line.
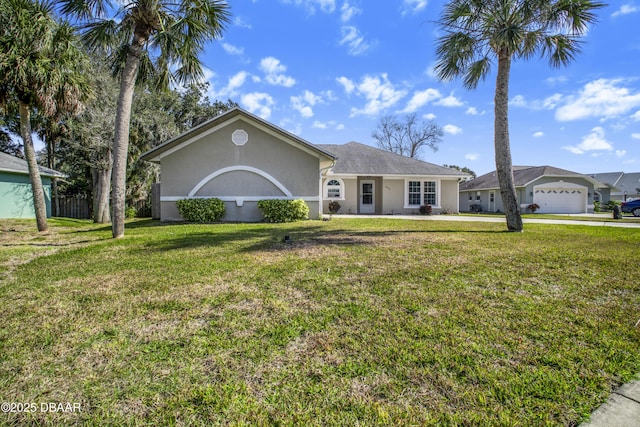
<point>504,166</point>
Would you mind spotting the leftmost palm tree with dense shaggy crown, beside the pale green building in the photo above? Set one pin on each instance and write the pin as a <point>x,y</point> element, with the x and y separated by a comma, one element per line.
<point>41,68</point>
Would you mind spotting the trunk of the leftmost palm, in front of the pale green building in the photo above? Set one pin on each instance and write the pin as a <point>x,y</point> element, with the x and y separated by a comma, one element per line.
<point>34,173</point>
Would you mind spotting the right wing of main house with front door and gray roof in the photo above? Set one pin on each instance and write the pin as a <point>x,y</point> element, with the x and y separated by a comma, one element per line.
<point>367,180</point>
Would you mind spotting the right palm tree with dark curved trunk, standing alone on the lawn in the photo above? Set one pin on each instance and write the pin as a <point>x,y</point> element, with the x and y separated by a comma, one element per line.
<point>479,32</point>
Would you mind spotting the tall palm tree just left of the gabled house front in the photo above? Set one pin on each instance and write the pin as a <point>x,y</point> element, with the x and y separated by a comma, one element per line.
<point>145,39</point>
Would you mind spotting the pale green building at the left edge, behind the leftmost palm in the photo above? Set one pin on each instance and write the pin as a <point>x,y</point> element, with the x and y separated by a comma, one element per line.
<point>16,196</point>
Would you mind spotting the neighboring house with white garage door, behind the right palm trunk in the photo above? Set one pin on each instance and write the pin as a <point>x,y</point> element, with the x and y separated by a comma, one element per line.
<point>554,190</point>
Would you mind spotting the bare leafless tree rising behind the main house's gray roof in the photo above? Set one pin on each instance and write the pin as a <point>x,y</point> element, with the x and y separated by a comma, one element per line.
<point>407,136</point>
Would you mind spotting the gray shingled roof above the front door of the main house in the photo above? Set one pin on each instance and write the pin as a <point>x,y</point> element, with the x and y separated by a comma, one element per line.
<point>359,159</point>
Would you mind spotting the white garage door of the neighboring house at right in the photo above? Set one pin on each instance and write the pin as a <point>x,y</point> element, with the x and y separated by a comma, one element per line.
<point>560,198</point>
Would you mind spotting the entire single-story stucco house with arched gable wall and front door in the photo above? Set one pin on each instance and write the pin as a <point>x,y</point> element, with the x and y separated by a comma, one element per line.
<point>241,159</point>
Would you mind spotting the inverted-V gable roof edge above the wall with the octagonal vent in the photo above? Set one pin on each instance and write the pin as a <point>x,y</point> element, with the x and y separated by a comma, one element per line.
<point>224,119</point>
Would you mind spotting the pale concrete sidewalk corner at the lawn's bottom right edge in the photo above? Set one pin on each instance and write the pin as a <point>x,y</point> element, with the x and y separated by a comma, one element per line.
<point>621,410</point>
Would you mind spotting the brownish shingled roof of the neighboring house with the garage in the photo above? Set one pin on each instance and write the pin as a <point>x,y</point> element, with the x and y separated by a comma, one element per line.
<point>522,175</point>
